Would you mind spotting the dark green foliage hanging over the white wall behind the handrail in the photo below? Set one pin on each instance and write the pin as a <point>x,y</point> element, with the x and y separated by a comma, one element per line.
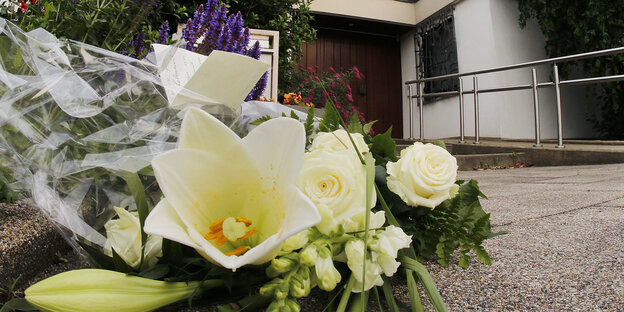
<point>572,27</point>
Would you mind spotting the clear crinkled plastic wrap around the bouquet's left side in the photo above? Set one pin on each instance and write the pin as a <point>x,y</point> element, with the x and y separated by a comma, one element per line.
<point>77,120</point>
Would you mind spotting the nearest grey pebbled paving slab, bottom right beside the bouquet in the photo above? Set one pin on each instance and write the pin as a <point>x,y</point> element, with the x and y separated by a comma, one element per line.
<point>567,262</point>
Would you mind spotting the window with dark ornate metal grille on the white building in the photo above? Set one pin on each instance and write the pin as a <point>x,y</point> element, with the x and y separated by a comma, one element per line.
<point>436,51</point>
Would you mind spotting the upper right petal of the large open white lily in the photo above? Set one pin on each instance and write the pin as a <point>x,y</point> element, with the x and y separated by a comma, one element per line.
<point>283,157</point>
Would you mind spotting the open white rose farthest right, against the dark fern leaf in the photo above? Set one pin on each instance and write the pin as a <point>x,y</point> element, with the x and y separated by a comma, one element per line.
<point>423,176</point>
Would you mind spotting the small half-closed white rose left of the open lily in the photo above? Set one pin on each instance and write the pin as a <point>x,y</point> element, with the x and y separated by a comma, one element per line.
<point>124,235</point>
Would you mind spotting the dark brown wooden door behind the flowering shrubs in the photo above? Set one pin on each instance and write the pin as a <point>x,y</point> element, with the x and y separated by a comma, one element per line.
<point>378,94</point>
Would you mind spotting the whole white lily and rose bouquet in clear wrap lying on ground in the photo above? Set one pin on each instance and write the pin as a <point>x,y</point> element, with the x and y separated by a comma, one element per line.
<point>190,202</point>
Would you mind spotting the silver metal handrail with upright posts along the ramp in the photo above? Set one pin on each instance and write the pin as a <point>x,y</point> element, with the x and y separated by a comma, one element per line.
<point>534,86</point>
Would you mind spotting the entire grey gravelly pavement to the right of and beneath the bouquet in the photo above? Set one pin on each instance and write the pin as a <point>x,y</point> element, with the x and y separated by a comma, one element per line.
<point>564,250</point>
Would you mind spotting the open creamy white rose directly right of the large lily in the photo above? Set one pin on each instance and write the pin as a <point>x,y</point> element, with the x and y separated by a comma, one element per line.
<point>334,179</point>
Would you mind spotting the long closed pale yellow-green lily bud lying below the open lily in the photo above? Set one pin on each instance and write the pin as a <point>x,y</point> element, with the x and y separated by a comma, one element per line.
<point>102,290</point>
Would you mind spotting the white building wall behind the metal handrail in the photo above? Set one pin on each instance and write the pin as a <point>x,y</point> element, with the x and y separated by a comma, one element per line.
<point>488,35</point>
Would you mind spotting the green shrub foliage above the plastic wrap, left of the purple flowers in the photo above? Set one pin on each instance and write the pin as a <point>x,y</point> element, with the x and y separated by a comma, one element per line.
<point>128,27</point>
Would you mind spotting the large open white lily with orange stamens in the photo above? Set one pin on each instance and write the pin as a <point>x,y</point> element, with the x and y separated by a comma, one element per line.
<point>234,200</point>
